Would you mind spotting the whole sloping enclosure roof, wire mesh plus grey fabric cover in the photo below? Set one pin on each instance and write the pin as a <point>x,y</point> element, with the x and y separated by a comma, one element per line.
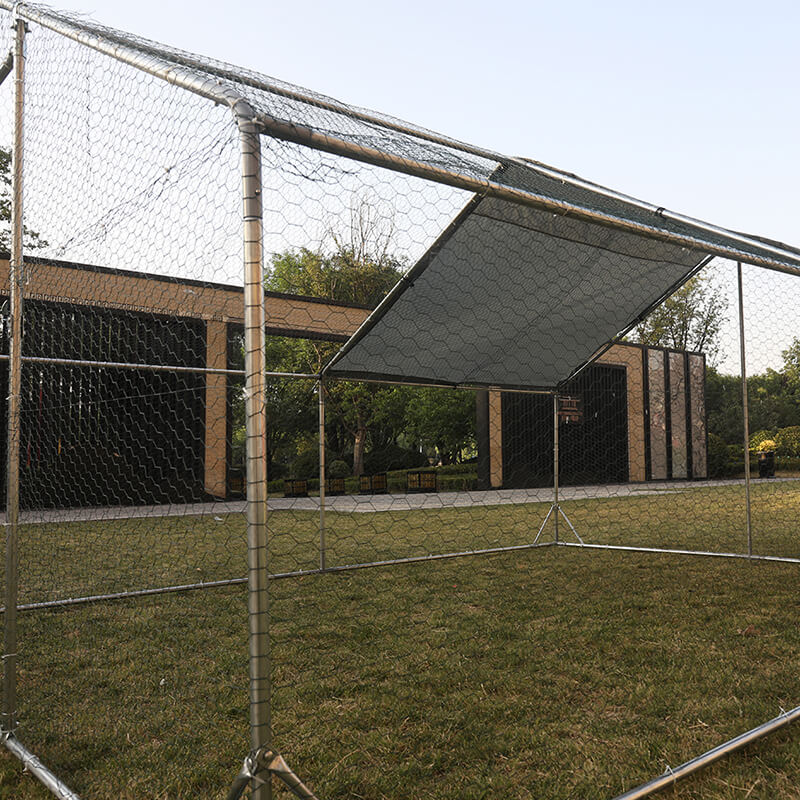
<point>538,272</point>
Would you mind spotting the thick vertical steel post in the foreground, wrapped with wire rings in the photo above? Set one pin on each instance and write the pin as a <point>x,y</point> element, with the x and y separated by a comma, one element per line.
<point>256,452</point>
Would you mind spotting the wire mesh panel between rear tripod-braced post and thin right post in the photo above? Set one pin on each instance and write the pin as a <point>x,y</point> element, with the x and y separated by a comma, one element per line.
<point>684,488</point>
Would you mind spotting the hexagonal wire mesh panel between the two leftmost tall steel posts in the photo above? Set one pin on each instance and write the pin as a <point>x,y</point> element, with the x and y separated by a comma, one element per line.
<point>132,277</point>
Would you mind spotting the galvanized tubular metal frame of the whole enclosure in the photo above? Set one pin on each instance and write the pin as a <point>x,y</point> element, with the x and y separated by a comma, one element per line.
<point>262,759</point>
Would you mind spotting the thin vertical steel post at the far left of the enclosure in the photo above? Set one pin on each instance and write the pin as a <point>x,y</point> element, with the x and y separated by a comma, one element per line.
<point>14,392</point>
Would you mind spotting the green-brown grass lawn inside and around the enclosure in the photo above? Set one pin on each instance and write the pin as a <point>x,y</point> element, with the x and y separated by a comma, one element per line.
<point>552,673</point>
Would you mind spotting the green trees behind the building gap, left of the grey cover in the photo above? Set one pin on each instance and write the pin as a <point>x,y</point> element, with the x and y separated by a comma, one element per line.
<point>386,422</point>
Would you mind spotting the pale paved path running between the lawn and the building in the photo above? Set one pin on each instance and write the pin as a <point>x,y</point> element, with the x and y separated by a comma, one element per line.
<point>385,502</point>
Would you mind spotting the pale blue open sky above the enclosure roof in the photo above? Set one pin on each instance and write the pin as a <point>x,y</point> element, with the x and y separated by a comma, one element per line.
<point>690,105</point>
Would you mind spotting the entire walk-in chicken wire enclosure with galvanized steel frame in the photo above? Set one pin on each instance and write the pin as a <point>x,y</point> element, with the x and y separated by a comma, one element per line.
<point>307,358</point>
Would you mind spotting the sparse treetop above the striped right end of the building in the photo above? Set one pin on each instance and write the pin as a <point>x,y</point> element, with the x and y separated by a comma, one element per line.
<point>689,319</point>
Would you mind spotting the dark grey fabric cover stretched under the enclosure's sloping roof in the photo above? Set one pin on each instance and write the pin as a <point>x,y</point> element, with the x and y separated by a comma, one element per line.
<point>513,296</point>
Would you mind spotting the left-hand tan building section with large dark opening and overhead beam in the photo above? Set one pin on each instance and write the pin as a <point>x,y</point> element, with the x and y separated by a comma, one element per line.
<point>120,430</point>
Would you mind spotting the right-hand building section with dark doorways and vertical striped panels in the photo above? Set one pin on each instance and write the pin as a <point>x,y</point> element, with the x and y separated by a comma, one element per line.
<point>635,414</point>
